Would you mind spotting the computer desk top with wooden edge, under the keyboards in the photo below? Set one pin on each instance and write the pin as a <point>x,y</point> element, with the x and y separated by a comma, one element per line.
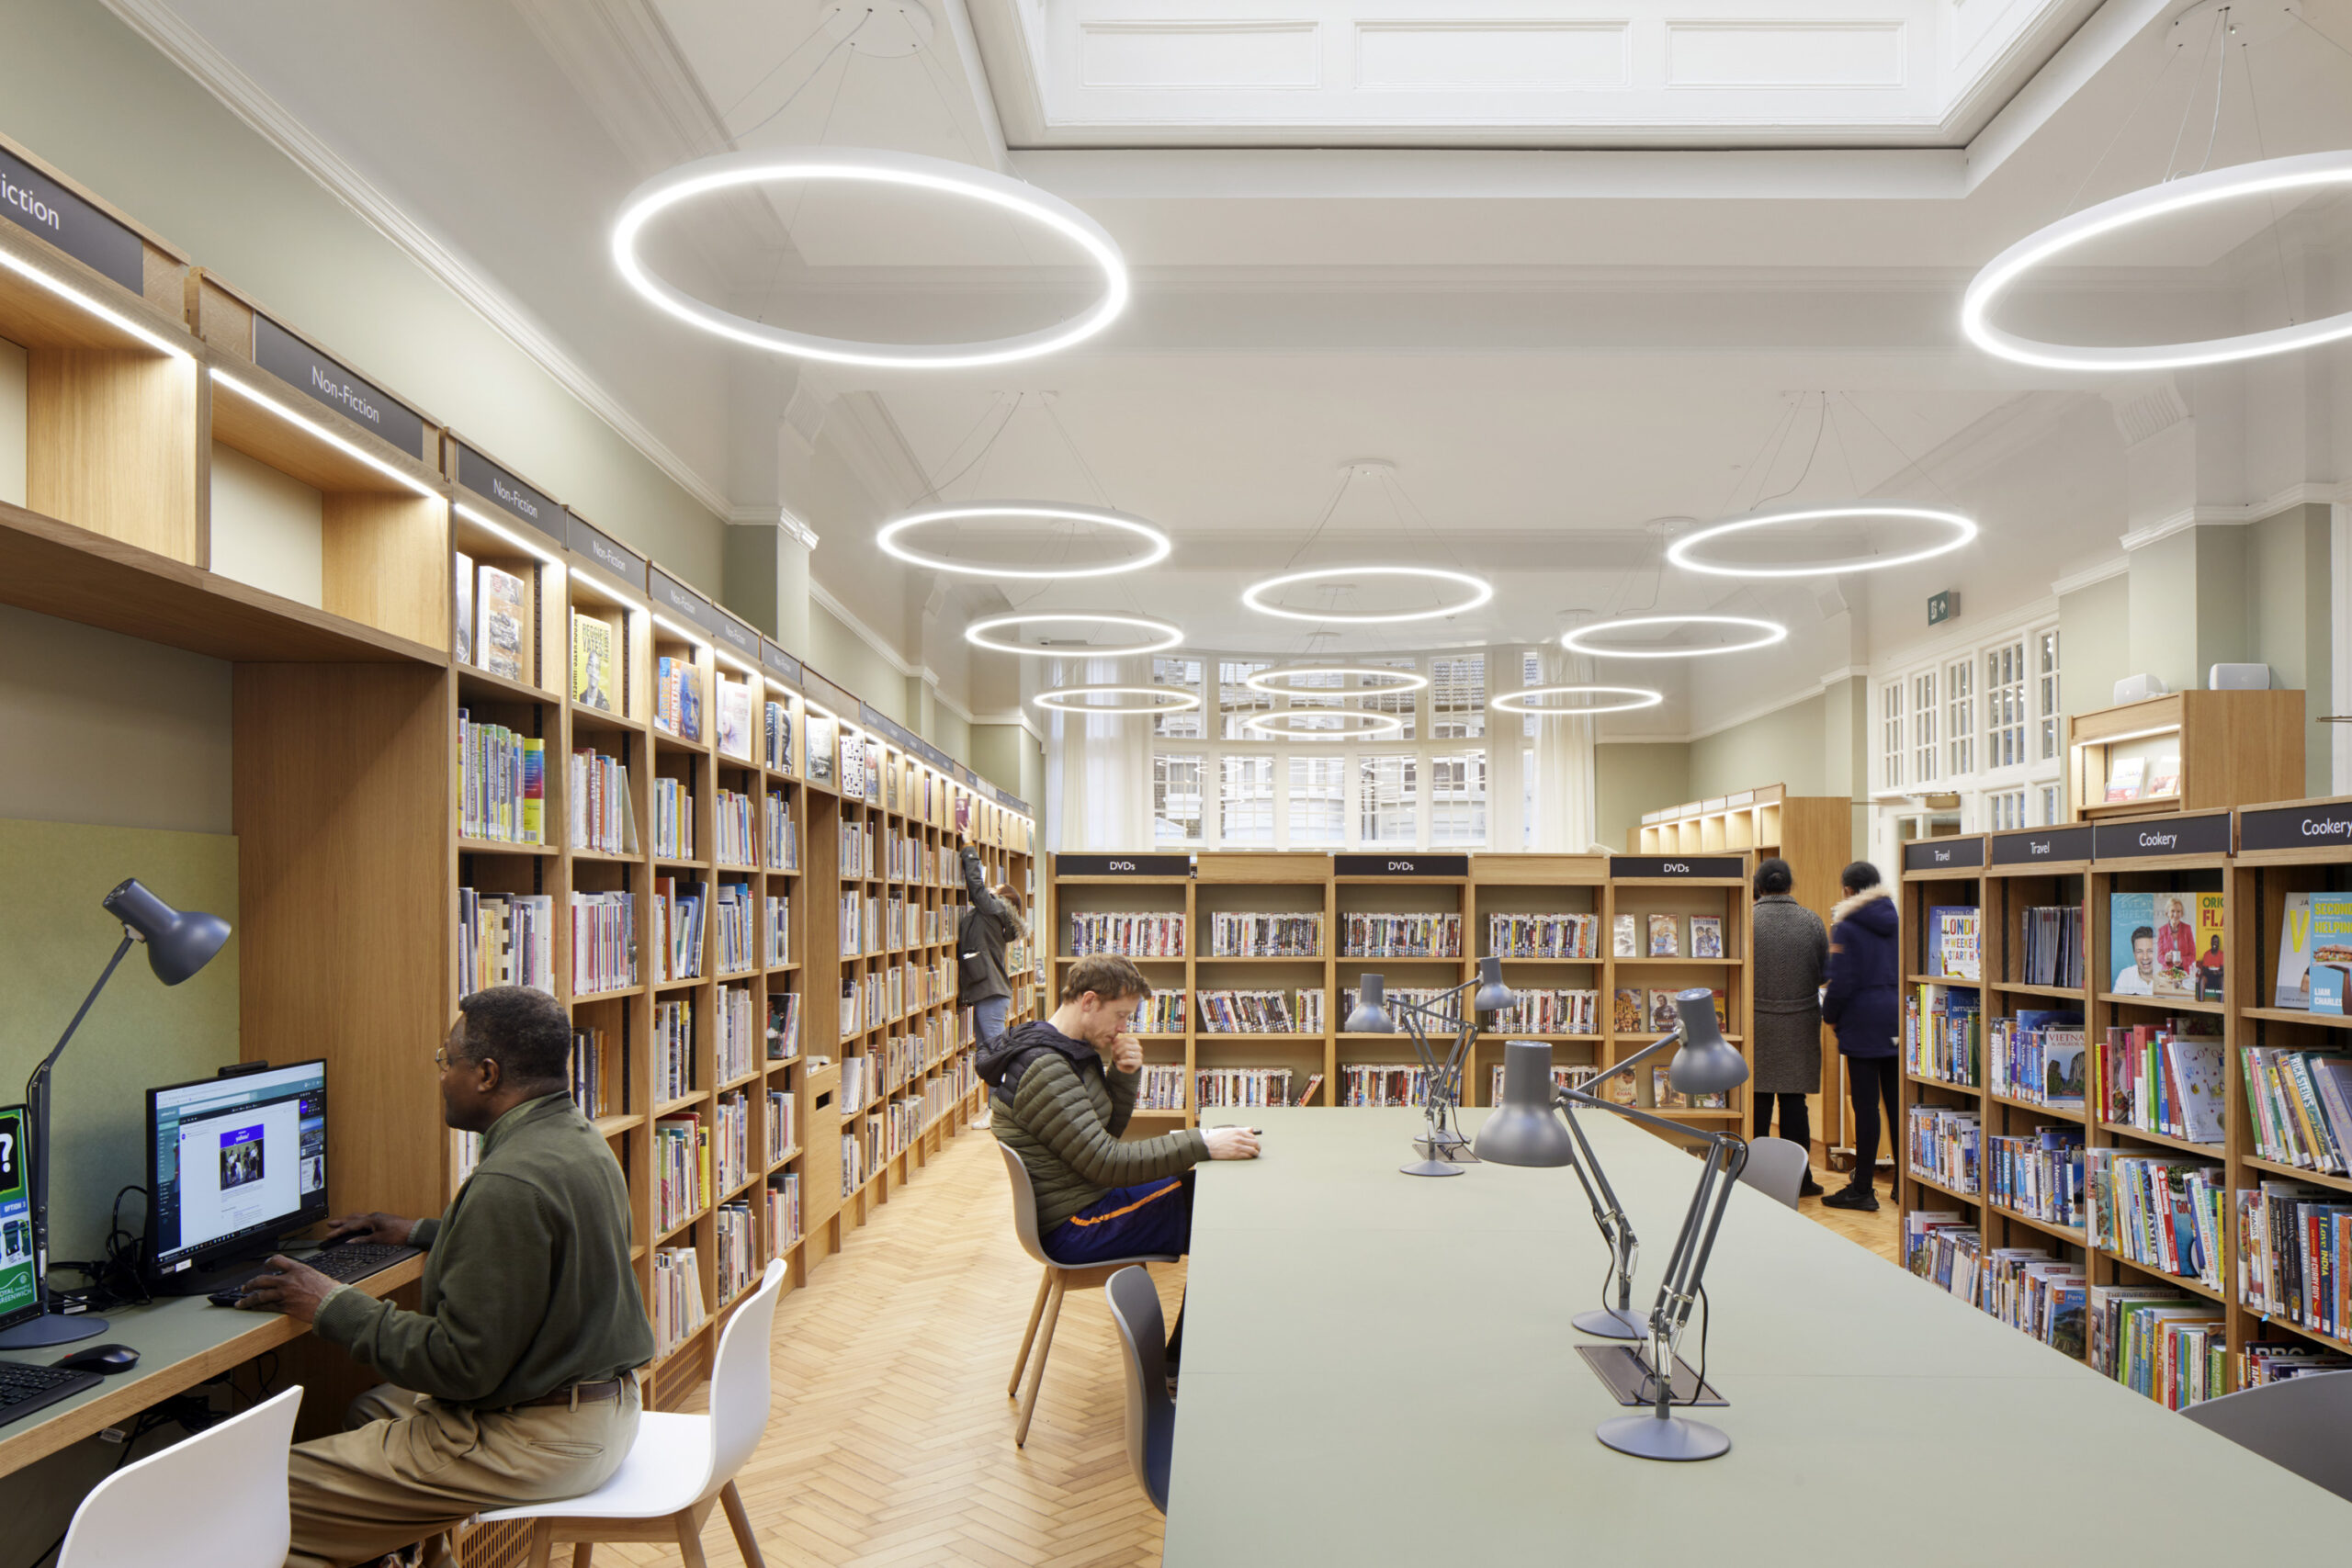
<point>182,1341</point>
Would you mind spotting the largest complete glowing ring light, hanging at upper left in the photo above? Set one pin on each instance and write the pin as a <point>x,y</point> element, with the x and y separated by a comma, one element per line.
<point>867,168</point>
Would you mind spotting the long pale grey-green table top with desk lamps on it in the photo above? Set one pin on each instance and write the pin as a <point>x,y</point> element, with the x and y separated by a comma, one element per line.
<point>1379,1369</point>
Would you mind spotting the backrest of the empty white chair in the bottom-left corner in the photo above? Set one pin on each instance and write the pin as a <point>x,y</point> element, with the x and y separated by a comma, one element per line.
<point>218,1499</point>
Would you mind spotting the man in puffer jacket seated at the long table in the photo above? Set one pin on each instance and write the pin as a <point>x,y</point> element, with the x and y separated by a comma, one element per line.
<point>1062,1092</point>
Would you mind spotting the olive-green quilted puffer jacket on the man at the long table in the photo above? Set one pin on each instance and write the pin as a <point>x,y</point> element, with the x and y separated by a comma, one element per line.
<point>1062,1113</point>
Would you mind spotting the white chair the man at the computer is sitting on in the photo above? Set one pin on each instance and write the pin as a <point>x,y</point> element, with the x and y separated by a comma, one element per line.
<point>681,1463</point>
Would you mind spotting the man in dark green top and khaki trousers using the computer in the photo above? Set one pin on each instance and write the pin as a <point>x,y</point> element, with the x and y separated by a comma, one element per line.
<point>519,1376</point>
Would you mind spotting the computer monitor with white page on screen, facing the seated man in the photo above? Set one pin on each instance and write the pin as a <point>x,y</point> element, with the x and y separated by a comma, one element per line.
<point>234,1165</point>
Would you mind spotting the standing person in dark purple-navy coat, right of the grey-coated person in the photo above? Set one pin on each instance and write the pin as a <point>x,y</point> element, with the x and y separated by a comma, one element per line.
<point>1866,1010</point>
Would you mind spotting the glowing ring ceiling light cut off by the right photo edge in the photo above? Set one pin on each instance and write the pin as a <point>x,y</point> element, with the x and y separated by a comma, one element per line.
<point>2266,177</point>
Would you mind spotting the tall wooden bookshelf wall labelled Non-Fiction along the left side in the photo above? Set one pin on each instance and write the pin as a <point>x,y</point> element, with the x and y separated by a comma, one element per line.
<point>476,739</point>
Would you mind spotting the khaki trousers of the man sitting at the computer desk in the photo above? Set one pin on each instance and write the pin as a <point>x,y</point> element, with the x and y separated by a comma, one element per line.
<point>413,1468</point>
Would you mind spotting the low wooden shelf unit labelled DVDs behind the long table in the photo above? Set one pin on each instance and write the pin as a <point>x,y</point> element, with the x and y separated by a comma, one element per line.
<point>1257,942</point>
